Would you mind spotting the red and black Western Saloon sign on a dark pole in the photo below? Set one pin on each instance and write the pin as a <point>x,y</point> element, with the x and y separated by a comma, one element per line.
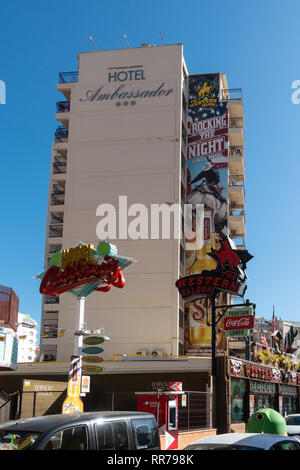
<point>228,276</point>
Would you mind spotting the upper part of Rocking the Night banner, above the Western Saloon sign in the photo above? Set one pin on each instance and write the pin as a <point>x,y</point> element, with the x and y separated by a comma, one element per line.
<point>207,166</point>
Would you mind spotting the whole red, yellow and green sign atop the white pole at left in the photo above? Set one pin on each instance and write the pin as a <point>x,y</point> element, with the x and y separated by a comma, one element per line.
<point>84,269</point>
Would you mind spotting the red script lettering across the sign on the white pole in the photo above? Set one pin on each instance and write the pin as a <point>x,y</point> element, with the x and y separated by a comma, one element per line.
<point>57,281</point>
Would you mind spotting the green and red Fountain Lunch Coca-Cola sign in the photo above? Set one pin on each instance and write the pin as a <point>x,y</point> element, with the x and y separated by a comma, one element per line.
<point>239,321</point>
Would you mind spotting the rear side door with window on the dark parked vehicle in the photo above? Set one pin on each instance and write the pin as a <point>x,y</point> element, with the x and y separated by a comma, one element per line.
<point>112,435</point>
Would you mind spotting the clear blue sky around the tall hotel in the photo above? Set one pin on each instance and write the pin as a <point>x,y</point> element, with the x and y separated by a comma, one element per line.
<point>254,42</point>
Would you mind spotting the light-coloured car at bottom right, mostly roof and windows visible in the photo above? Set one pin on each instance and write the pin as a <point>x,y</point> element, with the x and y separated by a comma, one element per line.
<point>245,441</point>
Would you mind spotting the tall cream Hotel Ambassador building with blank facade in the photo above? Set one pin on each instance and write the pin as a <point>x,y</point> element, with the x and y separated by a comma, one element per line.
<point>123,131</point>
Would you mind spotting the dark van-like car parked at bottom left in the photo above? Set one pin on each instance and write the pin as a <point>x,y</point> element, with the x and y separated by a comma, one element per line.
<point>83,431</point>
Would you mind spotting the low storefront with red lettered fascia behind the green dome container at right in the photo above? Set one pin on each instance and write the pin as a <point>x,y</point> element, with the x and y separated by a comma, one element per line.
<point>253,386</point>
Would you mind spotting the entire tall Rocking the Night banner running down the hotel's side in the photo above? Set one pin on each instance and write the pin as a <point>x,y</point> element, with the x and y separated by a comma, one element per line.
<point>207,184</point>
